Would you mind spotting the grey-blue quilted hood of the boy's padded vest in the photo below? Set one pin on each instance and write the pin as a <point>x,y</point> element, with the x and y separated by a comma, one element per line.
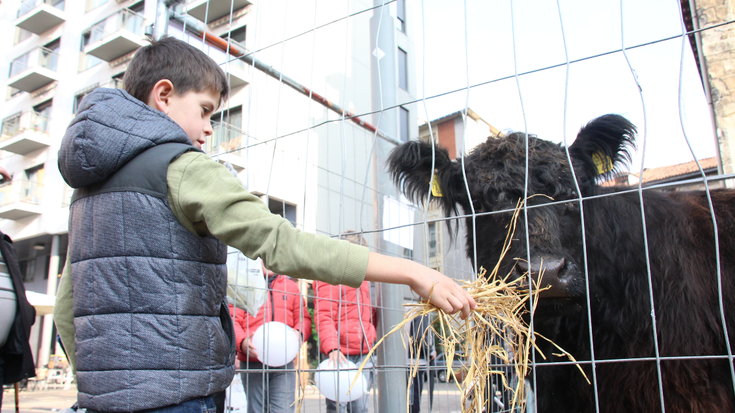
<point>111,127</point>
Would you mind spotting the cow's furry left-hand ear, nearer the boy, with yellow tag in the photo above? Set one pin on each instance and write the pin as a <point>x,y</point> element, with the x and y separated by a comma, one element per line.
<point>410,166</point>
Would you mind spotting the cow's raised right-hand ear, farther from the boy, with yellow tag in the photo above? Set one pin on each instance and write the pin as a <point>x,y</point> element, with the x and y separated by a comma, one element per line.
<point>602,147</point>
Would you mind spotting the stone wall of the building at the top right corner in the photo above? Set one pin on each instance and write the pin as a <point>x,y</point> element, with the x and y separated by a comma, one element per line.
<point>718,48</point>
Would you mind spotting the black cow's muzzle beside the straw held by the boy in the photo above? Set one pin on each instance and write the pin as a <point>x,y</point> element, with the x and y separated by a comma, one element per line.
<point>556,274</point>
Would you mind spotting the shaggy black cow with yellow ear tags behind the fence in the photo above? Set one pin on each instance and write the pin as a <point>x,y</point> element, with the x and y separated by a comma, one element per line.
<point>692,344</point>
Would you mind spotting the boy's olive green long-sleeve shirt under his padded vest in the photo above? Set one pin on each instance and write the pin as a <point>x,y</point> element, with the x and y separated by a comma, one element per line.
<point>208,200</point>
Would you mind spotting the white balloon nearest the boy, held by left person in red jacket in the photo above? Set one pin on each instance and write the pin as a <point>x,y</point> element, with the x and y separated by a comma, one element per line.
<point>276,343</point>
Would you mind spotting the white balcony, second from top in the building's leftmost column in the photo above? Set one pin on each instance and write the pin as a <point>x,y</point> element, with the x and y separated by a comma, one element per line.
<point>34,69</point>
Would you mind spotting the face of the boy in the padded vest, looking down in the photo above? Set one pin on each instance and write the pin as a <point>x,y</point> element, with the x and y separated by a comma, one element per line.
<point>192,111</point>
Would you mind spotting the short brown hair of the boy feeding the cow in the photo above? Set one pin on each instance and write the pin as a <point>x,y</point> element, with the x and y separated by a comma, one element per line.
<point>187,67</point>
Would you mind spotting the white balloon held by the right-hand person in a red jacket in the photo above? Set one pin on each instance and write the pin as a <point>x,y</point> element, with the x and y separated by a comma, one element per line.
<point>335,384</point>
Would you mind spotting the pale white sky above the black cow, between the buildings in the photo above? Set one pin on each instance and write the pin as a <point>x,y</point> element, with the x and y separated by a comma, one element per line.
<point>477,46</point>
